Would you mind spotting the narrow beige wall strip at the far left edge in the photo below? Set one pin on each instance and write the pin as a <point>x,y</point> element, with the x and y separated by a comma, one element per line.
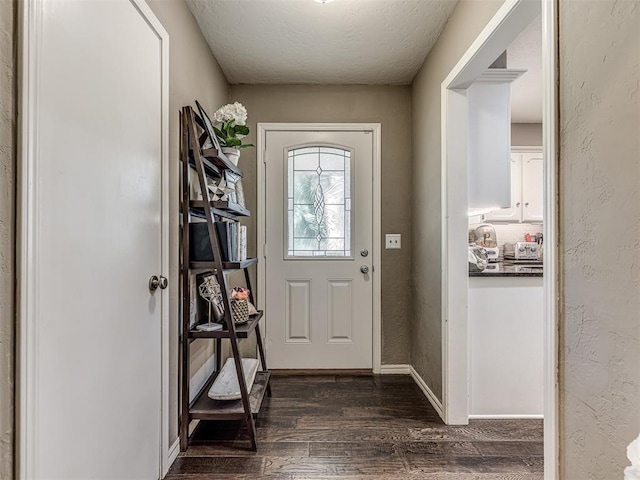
<point>7,235</point>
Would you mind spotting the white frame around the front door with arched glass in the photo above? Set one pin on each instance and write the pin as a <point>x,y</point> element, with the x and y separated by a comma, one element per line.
<point>375,128</point>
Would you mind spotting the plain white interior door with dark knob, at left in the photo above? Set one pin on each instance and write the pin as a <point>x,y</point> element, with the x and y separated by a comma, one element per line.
<point>95,234</point>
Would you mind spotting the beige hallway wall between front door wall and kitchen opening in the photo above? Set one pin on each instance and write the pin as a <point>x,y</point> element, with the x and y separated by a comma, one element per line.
<point>468,19</point>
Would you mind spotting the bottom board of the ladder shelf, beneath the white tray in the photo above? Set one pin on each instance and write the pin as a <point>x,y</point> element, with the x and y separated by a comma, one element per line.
<point>203,408</point>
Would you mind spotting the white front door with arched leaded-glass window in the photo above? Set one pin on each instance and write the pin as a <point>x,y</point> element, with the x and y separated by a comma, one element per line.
<point>319,220</point>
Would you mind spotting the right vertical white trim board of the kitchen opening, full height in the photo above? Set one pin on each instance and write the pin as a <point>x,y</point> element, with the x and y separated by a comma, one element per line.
<point>551,278</point>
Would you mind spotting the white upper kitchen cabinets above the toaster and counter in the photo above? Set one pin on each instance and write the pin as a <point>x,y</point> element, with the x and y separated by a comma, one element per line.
<point>527,189</point>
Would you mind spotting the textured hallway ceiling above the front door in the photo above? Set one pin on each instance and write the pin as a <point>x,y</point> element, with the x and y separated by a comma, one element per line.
<point>303,41</point>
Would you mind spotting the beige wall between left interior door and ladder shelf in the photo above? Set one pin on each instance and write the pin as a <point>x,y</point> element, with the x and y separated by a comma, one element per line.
<point>193,74</point>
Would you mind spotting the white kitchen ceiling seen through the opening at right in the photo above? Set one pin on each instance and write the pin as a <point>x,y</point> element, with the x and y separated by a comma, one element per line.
<point>526,92</point>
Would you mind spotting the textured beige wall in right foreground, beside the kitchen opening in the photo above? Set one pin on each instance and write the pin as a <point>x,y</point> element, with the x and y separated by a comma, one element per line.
<point>600,235</point>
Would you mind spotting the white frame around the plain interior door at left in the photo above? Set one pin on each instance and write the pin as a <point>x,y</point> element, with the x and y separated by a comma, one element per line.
<point>30,41</point>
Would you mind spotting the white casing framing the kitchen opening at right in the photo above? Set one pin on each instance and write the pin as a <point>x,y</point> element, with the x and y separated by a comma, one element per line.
<point>504,27</point>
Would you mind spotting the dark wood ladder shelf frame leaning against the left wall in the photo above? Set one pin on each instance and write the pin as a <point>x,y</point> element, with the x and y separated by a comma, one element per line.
<point>208,163</point>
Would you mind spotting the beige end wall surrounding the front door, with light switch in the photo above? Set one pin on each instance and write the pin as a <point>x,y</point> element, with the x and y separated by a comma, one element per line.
<point>390,106</point>
